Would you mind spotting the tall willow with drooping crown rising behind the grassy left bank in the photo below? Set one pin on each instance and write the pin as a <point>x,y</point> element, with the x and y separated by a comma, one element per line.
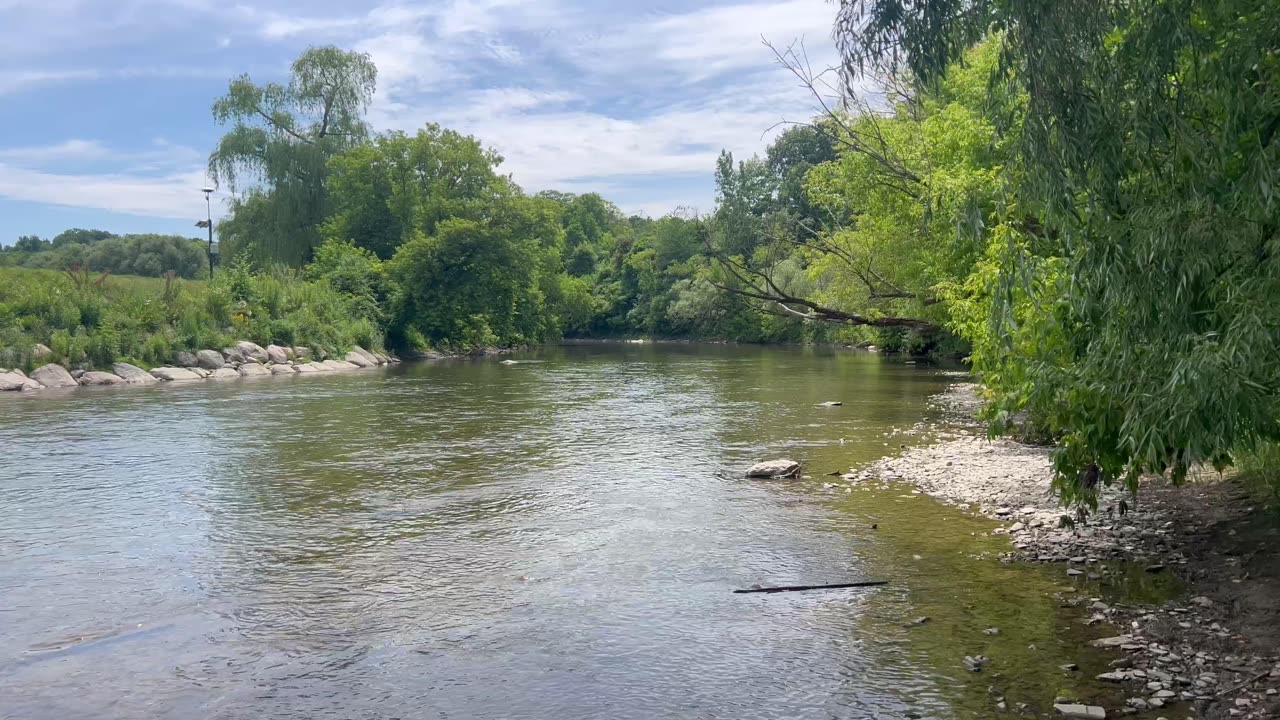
<point>276,156</point>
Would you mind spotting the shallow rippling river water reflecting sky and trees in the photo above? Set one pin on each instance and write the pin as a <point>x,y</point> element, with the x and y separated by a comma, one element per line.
<point>474,540</point>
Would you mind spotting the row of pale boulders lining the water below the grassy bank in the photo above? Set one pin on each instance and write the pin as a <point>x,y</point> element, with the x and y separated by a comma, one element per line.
<point>244,359</point>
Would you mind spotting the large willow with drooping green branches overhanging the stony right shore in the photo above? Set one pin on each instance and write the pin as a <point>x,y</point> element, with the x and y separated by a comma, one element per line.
<point>1149,279</point>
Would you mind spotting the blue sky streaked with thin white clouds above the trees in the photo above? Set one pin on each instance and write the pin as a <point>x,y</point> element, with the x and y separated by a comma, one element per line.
<point>106,104</point>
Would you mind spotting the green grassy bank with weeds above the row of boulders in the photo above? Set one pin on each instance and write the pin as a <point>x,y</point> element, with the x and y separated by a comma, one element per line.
<point>92,321</point>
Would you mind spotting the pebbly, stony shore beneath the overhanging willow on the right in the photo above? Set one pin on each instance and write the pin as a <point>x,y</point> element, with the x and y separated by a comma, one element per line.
<point>1213,655</point>
